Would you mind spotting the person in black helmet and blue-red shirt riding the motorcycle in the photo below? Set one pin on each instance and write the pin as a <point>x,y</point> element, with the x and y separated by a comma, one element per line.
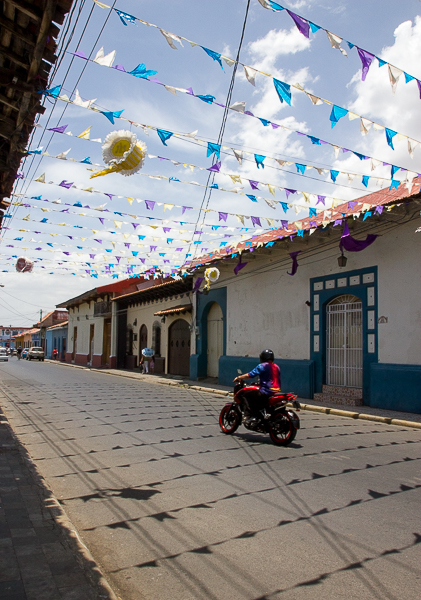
<point>270,382</point>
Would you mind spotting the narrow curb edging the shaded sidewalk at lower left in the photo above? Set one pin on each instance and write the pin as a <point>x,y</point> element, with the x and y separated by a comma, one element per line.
<point>82,554</point>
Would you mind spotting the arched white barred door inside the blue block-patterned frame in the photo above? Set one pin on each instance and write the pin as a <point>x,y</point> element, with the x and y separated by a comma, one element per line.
<point>344,342</point>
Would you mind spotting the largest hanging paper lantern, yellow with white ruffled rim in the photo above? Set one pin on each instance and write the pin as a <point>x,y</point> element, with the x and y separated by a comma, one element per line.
<point>124,152</point>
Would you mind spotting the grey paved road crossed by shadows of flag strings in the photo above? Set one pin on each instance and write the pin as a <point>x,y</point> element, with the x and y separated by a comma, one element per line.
<point>171,508</point>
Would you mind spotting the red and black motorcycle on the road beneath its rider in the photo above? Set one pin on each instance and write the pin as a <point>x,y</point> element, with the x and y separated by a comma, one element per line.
<point>279,421</point>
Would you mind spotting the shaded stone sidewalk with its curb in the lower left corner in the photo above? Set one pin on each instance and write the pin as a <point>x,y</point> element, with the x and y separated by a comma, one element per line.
<point>41,556</point>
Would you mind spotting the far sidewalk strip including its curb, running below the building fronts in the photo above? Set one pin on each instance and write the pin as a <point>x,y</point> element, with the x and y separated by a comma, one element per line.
<point>390,417</point>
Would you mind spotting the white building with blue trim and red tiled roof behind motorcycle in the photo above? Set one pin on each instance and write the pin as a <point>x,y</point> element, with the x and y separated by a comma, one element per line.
<point>341,312</point>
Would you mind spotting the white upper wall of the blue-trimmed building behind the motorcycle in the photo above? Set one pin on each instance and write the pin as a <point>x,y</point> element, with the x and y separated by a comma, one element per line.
<point>266,307</point>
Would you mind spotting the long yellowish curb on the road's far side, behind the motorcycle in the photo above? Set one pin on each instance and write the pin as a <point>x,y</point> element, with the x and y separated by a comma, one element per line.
<point>311,407</point>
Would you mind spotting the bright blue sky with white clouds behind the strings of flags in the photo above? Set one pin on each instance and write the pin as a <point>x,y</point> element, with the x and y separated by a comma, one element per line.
<point>69,259</point>
